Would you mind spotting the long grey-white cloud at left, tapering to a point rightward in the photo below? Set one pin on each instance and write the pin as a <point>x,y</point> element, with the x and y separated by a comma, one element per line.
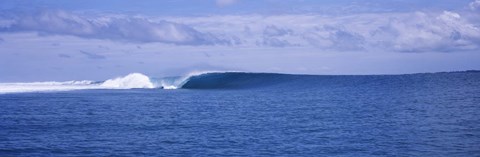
<point>133,29</point>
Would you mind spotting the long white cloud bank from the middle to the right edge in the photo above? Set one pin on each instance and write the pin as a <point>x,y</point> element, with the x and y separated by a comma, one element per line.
<point>401,32</point>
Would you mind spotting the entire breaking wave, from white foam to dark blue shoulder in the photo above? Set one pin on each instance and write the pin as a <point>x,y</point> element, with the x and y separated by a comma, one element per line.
<point>211,80</point>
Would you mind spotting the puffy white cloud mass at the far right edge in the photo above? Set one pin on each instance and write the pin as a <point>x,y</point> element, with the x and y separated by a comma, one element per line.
<point>423,32</point>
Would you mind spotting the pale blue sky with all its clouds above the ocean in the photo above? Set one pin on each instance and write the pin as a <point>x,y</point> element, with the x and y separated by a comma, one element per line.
<point>52,40</point>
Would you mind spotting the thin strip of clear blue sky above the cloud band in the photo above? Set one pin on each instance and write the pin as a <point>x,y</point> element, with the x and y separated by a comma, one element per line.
<point>208,7</point>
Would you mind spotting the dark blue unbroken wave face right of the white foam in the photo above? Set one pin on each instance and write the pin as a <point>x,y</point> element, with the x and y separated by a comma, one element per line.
<point>245,80</point>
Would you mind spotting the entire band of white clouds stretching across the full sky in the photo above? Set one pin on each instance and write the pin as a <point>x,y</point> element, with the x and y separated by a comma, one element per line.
<point>403,32</point>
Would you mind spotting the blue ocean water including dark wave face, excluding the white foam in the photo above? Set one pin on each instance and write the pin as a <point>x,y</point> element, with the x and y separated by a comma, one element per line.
<point>248,114</point>
